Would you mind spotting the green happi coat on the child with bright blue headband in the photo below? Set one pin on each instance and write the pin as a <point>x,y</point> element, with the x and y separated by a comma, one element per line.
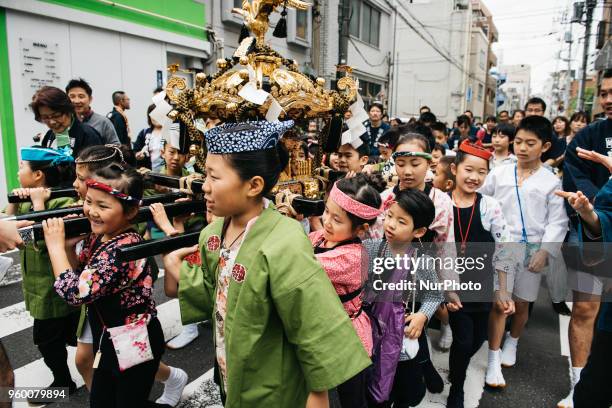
<point>38,293</point>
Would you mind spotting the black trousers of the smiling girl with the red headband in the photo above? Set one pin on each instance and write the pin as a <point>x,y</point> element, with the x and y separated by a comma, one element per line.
<point>469,332</point>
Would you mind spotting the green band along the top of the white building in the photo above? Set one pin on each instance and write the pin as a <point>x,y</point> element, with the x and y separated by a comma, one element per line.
<point>188,11</point>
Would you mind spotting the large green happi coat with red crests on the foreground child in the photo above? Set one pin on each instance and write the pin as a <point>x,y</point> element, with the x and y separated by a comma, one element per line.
<point>286,332</point>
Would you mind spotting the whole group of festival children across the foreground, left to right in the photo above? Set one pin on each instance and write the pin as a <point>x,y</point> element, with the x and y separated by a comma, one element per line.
<point>294,315</point>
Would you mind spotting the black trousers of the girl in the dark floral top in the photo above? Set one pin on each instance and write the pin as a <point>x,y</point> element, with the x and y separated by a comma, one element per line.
<point>111,388</point>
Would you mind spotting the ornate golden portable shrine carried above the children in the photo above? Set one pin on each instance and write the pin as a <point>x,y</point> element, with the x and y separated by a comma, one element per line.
<point>258,82</point>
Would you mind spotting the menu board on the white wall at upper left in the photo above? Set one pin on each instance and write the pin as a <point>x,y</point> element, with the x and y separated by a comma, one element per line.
<point>39,66</point>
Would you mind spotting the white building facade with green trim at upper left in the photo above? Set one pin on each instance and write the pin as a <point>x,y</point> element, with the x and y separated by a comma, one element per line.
<point>113,48</point>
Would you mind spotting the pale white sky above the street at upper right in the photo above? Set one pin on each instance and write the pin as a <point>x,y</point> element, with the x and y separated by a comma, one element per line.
<point>531,32</point>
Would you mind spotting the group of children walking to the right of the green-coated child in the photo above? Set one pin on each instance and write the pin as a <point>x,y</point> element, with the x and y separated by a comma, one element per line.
<point>483,201</point>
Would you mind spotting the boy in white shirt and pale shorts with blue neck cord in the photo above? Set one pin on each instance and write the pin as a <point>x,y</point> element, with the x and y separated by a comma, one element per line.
<point>537,218</point>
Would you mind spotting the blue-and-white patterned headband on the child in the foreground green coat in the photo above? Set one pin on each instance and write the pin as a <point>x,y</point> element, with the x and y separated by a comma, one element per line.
<point>245,136</point>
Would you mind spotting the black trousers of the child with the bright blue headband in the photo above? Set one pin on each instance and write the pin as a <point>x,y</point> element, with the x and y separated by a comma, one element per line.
<point>51,337</point>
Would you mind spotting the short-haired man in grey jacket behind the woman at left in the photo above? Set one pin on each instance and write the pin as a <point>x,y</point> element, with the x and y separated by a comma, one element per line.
<point>80,94</point>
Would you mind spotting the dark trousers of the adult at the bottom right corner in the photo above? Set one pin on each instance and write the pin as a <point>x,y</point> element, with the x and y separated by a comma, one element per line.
<point>593,390</point>
